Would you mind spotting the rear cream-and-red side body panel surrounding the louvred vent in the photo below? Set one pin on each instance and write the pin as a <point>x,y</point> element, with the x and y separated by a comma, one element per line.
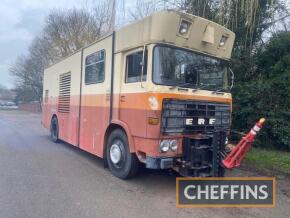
<point>68,122</point>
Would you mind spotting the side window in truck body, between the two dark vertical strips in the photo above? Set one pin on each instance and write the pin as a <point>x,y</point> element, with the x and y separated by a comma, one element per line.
<point>95,68</point>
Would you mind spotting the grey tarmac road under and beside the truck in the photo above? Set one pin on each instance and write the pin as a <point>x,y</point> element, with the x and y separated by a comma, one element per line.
<point>41,179</point>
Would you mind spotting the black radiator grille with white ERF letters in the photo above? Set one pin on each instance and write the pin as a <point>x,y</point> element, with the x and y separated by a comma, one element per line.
<point>177,113</point>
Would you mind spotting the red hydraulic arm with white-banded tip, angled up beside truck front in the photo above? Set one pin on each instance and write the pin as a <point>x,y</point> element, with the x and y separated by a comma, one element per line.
<point>239,152</point>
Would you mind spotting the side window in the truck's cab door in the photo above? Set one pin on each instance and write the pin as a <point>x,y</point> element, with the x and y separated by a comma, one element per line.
<point>134,67</point>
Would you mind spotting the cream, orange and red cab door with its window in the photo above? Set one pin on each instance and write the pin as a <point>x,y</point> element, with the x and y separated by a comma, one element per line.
<point>133,91</point>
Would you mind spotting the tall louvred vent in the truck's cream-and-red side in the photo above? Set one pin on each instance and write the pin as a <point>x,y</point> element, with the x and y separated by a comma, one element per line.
<point>64,93</point>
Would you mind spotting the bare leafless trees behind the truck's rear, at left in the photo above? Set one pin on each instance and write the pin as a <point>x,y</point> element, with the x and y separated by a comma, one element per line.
<point>65,32</point>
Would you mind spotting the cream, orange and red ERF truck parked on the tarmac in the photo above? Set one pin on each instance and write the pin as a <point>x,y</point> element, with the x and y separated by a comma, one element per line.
<point>154,92</point>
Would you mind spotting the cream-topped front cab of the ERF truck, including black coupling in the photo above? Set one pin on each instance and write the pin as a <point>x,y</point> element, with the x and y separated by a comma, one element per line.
<point>175,91</point>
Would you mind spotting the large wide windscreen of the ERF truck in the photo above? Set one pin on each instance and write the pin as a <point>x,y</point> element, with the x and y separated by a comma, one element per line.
<point>179,67</point>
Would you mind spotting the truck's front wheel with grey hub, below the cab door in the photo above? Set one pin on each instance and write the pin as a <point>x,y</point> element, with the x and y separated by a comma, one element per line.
<point>121,162</point>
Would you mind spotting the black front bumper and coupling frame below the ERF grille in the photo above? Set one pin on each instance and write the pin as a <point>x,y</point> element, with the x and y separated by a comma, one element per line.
<point>201,157</point>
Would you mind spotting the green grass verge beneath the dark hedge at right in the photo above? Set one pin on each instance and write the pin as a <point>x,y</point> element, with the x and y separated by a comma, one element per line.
<point>268,161</point>
